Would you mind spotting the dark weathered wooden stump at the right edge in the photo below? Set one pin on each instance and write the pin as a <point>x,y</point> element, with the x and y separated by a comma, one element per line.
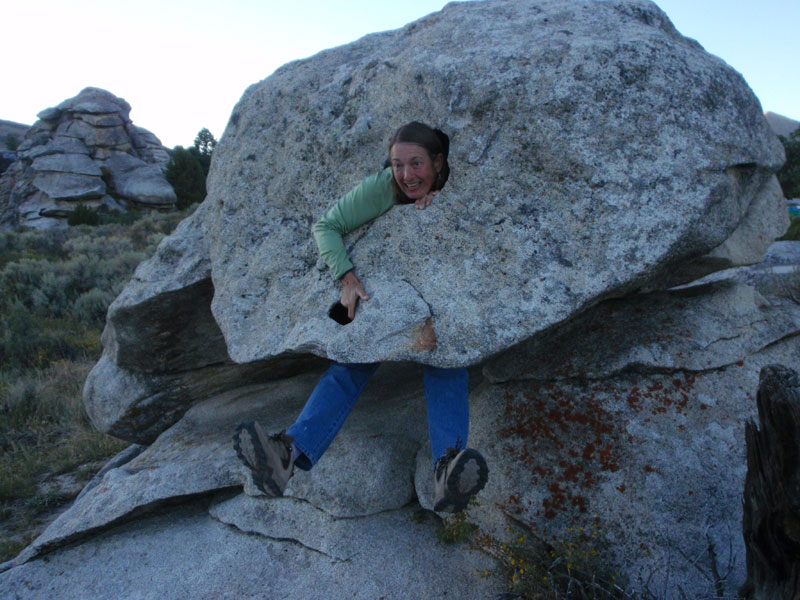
<point>771,522</point>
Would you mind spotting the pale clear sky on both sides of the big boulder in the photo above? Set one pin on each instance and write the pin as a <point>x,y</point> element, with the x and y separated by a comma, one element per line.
<point>183,64</point>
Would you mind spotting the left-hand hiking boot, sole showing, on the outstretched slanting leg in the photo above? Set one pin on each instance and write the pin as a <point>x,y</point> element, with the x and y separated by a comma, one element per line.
<point>269,458</point>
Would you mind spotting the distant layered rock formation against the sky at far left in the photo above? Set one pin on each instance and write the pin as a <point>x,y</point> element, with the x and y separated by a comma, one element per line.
<point>85,150</point>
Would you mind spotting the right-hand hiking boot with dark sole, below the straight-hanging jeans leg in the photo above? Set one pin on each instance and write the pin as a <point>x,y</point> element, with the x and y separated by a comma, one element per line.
<point>458,475</point>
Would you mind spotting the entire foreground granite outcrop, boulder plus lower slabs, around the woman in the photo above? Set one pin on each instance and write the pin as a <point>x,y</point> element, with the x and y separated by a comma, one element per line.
<point>599,160</point>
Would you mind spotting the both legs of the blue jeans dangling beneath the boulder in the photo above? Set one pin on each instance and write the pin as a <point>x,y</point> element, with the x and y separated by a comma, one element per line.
<point>340,387</point>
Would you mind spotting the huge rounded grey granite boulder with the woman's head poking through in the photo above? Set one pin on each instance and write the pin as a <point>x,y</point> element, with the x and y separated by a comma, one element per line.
<point>595,151</point>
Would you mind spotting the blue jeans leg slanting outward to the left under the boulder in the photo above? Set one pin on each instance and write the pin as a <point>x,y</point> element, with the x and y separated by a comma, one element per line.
<point>327,408</point>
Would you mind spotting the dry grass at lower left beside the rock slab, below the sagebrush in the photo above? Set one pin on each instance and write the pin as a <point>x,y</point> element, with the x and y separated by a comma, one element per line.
<point>44,433</point>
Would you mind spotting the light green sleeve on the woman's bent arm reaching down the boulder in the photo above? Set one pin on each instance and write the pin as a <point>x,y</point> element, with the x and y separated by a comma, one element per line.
<point>368,200</point>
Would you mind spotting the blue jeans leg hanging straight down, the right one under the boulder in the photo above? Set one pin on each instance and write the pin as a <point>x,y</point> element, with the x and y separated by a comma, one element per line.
<point>447,395</point>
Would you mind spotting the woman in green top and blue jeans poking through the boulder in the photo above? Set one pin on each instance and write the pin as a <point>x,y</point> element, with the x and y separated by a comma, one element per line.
<point>416,170</point>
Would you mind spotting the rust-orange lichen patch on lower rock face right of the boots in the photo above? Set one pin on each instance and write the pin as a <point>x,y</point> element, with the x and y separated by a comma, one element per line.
<point>572,439</point>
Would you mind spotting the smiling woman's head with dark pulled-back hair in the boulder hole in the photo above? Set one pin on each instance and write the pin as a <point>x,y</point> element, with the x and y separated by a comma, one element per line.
<point>418,157</point>
